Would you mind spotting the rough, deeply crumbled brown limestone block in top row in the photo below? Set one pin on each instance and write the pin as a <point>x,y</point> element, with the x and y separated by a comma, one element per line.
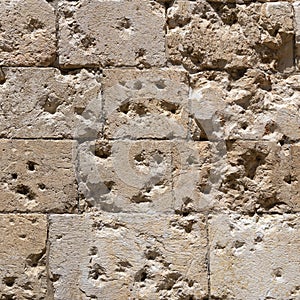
<point>220,35</point>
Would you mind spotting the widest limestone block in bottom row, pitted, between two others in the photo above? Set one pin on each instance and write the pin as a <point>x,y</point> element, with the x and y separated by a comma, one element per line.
<point>128,256</point>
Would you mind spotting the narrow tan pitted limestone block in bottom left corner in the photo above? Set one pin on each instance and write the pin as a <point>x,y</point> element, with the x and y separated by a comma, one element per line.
<point>22,256</point>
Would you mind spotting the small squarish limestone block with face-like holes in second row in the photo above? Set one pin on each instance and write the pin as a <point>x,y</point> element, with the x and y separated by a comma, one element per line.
<point>141,104</point>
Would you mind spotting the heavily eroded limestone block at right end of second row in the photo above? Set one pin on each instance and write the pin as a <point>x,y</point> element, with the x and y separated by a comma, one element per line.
<point>251,105</point>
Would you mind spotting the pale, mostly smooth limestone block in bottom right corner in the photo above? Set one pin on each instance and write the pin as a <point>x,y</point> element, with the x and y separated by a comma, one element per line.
<point>254,257</point>
